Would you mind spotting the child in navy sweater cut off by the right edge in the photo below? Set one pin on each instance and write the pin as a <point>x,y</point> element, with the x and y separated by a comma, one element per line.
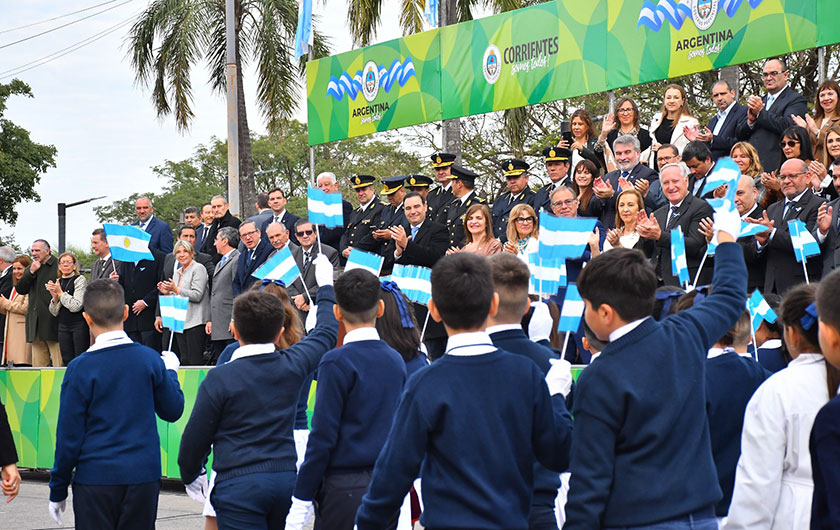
<point>825,436</point>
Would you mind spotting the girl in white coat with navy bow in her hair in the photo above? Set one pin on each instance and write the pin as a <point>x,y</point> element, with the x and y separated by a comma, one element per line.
<point>773,481</point>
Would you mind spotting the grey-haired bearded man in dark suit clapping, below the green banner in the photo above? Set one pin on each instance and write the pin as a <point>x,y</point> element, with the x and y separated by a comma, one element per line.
<point>630,173</point>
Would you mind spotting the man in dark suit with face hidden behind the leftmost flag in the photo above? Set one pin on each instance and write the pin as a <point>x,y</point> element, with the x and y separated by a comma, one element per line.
<point>139,281</point>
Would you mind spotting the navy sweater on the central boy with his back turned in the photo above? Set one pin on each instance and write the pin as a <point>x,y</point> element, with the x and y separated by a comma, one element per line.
<point>470,427</point>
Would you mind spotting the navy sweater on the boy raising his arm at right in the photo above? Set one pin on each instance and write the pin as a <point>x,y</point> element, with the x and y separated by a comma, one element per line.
<point>641,451</point>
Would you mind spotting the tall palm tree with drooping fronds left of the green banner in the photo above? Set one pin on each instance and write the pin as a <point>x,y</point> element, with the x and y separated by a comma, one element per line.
<point>170,36</point>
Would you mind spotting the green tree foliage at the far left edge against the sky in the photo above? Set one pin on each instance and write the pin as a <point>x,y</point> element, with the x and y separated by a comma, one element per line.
<point>22,161</point>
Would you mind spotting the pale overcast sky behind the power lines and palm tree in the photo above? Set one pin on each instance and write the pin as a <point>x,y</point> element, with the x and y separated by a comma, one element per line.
<point>104,126</point>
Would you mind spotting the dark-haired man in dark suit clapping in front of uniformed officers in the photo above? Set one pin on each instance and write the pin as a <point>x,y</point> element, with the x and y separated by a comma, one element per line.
<point>422,242</point>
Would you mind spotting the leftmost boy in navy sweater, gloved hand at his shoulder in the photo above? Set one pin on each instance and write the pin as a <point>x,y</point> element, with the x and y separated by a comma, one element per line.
<point>112,442</point>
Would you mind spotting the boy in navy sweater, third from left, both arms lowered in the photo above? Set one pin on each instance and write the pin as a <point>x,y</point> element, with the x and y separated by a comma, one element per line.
<point>359,386</point>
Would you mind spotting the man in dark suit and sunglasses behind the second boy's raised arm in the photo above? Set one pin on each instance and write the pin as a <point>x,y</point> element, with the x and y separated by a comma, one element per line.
<point>304,256</point>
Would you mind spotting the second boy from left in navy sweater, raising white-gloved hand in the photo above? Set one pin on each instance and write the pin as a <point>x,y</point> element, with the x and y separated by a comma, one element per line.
<point>246,410</point>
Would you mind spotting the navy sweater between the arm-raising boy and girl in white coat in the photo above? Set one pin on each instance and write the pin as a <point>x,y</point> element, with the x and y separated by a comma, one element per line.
<point>731,380</point>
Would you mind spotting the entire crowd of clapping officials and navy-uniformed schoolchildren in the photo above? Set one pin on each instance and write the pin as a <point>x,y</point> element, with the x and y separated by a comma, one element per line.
<point>686,416</point>
